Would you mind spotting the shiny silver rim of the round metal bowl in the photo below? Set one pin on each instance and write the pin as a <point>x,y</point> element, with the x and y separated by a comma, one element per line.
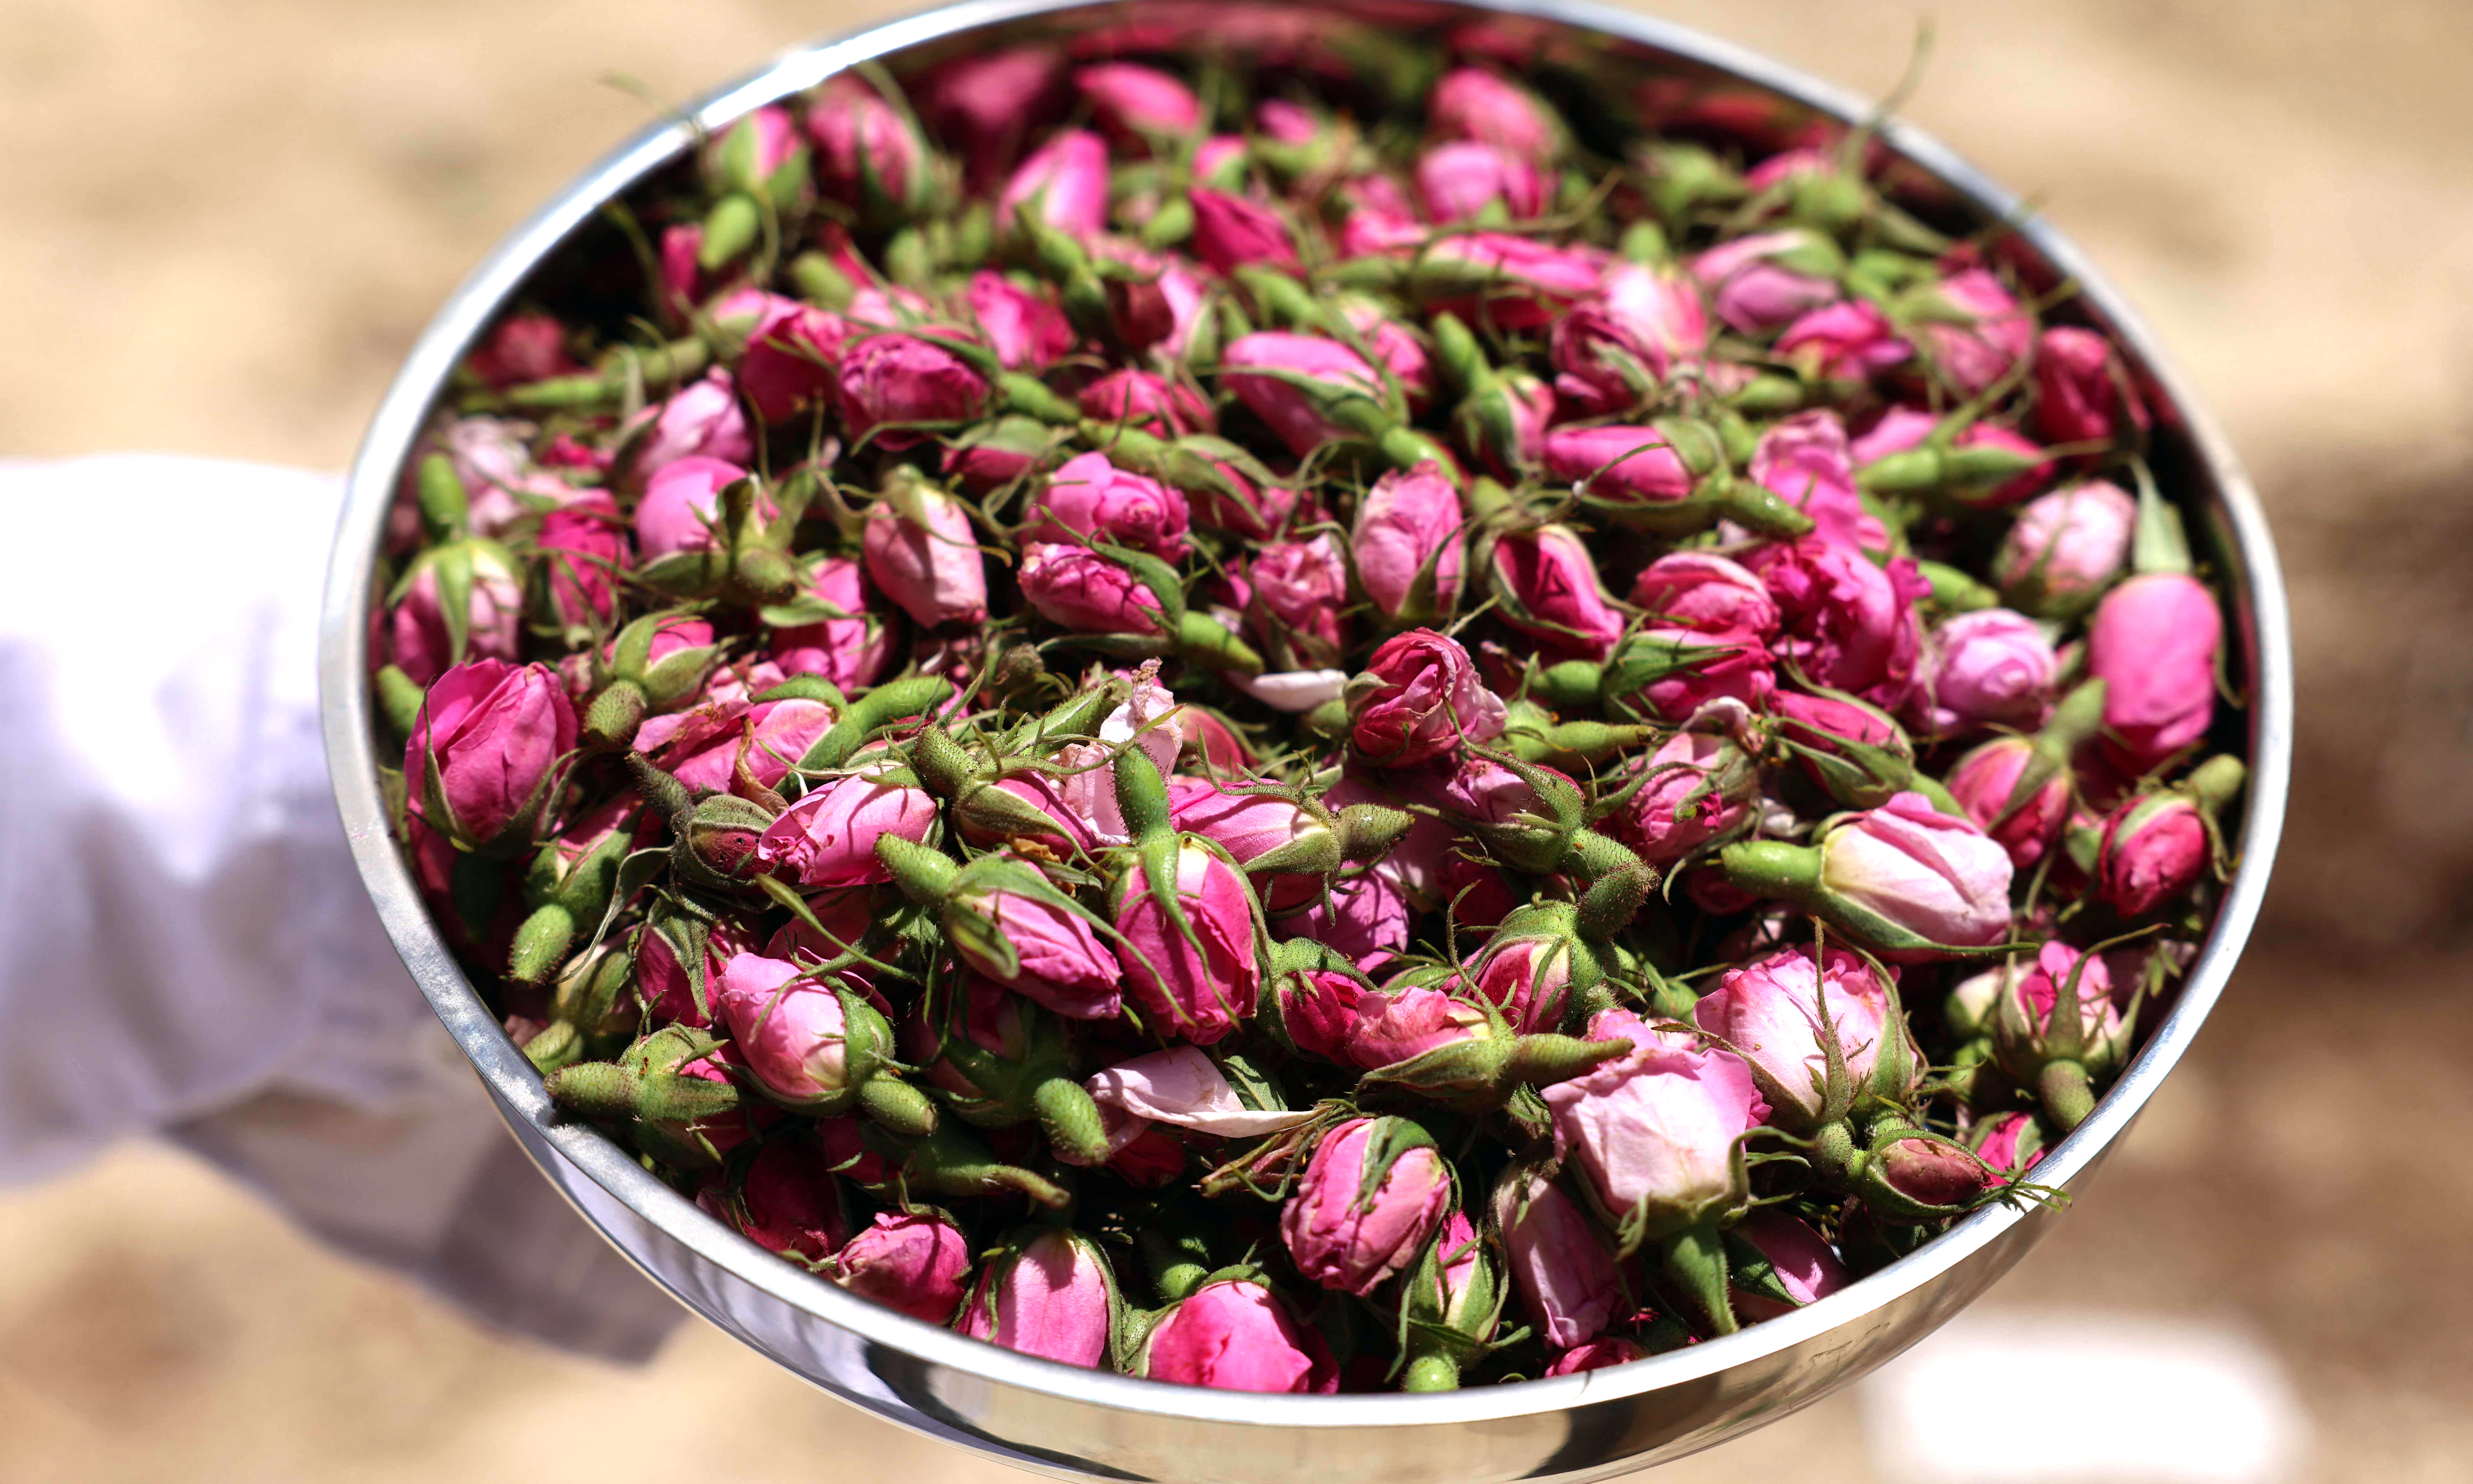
<point>518,1087</point>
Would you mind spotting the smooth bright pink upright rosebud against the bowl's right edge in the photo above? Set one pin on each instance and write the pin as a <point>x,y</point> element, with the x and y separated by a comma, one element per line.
<point>2153,644</point>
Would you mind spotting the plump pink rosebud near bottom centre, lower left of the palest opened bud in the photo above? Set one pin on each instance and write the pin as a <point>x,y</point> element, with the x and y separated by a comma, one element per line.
<point>1366,1206</point>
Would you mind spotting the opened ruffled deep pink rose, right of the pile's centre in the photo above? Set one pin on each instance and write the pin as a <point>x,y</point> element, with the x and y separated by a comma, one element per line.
<point>1846,622</point>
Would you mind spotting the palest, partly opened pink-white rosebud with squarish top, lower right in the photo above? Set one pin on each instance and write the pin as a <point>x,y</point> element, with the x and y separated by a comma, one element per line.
<point>1656,1132</point>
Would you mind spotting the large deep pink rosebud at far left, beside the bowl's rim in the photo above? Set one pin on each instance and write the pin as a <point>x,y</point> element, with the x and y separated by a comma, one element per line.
<point>501,738</point>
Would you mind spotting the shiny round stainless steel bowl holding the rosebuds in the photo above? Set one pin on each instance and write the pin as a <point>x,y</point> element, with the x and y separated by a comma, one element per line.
<point>1094,1426</point>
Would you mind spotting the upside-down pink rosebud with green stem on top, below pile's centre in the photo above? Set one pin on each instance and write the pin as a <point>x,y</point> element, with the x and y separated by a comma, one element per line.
<point>1196,978</point>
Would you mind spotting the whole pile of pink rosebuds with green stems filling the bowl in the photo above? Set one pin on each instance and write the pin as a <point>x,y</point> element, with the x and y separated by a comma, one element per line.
<point>1305,746</point>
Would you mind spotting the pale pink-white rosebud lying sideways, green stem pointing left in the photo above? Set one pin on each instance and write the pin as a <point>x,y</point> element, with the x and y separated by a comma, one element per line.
<point>1920,872</point>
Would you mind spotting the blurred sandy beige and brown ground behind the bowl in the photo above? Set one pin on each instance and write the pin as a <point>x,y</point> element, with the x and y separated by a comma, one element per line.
<point>229,221</point>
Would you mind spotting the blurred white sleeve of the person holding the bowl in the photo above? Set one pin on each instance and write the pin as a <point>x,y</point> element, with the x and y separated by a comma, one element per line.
<point>184,941</point>
